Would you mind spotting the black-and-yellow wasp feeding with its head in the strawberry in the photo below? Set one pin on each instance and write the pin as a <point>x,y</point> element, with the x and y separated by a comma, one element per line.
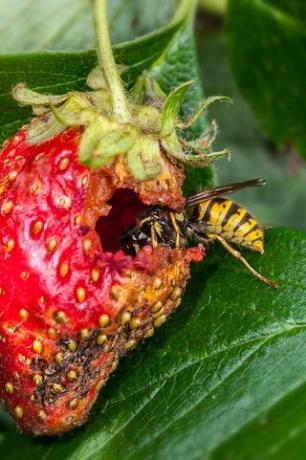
<point>207,217</point>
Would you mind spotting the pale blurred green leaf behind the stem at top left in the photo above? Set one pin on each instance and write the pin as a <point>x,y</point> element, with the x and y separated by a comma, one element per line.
<point>68,24</point>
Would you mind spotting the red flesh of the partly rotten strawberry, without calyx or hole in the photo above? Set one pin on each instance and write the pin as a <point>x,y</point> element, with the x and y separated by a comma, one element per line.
<point>69,308</point>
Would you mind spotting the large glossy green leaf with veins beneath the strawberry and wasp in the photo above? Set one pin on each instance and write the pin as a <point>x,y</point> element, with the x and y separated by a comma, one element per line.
<point>223,379</point>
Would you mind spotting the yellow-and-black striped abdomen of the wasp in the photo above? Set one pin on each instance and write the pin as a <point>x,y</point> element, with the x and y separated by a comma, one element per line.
<point>221,216</point>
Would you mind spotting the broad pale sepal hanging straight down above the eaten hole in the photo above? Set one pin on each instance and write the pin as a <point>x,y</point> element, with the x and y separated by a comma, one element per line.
<point>144,159</point>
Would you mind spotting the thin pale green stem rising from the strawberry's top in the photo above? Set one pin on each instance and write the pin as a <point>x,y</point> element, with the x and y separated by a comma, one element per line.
<point>107,63</point>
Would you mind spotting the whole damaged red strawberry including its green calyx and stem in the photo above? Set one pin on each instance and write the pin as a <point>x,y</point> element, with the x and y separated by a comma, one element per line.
<point>71,301</point>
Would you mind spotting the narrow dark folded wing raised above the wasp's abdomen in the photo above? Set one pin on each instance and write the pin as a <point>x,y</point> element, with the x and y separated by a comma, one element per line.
<point>223,190</point>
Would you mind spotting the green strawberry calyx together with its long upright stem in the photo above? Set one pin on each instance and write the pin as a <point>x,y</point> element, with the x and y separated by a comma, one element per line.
<point>143,127</point>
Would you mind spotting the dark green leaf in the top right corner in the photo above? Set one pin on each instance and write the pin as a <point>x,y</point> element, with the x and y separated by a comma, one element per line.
<point>267,47</point>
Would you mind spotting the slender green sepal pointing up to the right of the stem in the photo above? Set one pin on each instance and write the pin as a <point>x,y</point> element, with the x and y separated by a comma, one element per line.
<point>171,108</point>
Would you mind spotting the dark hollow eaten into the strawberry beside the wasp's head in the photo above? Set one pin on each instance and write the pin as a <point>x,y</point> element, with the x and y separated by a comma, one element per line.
<point>126,206</point>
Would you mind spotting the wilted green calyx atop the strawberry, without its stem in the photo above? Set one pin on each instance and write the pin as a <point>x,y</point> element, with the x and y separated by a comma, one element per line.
<point>142,139</point>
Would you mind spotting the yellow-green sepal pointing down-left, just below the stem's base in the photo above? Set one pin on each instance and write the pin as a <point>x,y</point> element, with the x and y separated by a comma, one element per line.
<point>112,144</point>
